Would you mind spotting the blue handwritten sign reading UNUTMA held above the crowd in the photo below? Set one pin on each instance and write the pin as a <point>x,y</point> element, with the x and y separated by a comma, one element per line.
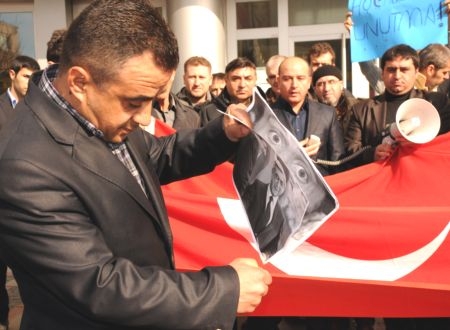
<point>381,24</point>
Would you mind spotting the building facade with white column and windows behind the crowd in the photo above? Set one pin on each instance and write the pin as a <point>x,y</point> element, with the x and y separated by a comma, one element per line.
<point>219,30</point>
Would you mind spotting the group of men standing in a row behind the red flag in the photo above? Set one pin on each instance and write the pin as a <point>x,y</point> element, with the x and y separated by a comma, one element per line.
<point>309,98</point>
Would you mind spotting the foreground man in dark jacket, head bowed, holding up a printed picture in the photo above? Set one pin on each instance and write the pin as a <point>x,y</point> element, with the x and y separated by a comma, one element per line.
<point>83,223</point>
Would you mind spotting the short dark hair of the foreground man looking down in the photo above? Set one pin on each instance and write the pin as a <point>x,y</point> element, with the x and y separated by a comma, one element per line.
<point>109,32</point>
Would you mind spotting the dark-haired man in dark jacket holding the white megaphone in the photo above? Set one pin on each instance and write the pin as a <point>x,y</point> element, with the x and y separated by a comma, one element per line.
<point>369,118</point>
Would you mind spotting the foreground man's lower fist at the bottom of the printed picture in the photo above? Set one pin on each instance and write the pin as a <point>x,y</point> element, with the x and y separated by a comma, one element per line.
<point>253,282</point>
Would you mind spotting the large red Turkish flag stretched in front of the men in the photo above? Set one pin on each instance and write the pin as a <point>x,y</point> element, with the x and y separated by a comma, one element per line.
<point>385,252</point>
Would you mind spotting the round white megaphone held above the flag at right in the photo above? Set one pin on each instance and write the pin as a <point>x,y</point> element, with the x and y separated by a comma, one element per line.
<point>416,121</point>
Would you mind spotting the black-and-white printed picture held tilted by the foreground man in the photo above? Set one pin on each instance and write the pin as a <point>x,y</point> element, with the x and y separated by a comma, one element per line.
<point>285,197</point>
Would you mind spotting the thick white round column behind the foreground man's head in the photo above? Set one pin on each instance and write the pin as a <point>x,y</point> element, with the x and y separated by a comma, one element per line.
<point>200,31</point>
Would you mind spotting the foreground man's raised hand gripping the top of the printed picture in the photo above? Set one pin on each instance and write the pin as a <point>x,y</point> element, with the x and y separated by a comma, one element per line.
<point>236,122</point>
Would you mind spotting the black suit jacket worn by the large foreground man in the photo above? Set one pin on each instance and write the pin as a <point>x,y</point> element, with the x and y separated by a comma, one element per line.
<point>88,248</point>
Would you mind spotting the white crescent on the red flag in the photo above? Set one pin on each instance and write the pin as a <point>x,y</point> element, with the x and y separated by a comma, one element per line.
<point>310,260</point>
